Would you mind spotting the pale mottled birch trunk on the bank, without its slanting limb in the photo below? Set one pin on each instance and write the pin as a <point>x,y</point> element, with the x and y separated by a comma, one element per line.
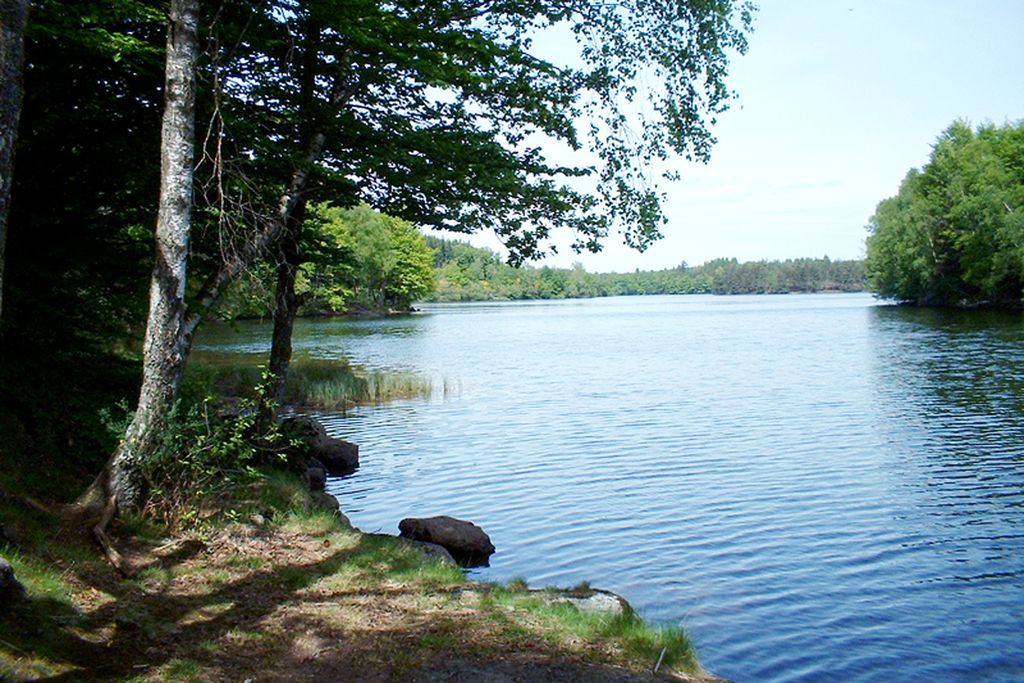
<point>166,343</point>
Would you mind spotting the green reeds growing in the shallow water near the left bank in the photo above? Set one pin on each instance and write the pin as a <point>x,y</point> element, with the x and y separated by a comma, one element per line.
<point>315,383</point>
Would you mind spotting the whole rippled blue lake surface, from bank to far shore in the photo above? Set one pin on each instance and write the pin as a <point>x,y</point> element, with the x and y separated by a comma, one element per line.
<point>818,488</point>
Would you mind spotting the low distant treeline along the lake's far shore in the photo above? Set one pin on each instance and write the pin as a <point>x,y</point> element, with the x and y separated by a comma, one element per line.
<point>472,274</point>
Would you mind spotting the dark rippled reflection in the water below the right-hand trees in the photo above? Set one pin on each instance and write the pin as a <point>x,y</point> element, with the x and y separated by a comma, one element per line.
<point>950,390</point>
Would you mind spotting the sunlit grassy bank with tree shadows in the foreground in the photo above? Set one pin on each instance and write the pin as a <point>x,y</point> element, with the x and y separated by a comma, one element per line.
<point>298,597</point>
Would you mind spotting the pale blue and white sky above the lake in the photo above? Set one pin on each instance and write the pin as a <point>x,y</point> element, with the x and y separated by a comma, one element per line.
<point>837,101</point>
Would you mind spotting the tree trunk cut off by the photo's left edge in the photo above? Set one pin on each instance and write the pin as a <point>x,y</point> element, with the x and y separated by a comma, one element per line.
<point>13,14</point>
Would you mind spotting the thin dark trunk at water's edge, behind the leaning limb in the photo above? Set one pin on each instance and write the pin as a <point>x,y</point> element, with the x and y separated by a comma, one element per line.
<point>286,308</point>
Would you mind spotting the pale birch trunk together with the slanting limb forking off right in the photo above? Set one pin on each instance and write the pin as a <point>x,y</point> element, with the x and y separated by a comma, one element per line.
<point>172,327</point>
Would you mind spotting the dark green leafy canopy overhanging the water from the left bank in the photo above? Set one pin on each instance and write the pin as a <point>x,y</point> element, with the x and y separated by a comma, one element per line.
<point>437,112</point>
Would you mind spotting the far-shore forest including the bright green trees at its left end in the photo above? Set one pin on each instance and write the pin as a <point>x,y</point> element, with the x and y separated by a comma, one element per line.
<point>364,263</point>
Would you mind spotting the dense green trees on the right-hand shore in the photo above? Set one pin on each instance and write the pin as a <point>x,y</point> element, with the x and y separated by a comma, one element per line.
<point>955,234</point>
